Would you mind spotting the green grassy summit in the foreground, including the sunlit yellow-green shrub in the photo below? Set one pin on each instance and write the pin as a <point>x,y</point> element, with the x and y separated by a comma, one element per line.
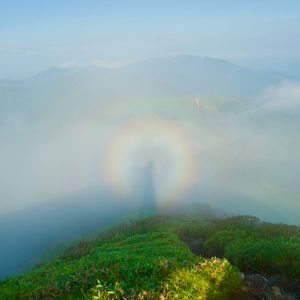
<point>149,259</point>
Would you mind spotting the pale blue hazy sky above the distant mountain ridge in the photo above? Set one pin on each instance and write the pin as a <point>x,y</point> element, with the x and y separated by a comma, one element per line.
<point>36,35</point>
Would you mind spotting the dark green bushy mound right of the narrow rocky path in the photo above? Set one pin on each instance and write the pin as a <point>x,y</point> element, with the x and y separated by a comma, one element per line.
<point>257,247</point>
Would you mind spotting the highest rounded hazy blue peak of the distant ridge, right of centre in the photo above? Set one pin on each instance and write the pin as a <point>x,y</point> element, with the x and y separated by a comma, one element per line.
<point>193,75</point>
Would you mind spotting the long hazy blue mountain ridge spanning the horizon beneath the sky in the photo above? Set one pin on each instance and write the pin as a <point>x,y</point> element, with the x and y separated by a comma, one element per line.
<point>180,75</point>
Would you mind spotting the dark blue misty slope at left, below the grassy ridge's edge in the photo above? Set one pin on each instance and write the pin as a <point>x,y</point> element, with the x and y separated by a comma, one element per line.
<point>39,227</point>
